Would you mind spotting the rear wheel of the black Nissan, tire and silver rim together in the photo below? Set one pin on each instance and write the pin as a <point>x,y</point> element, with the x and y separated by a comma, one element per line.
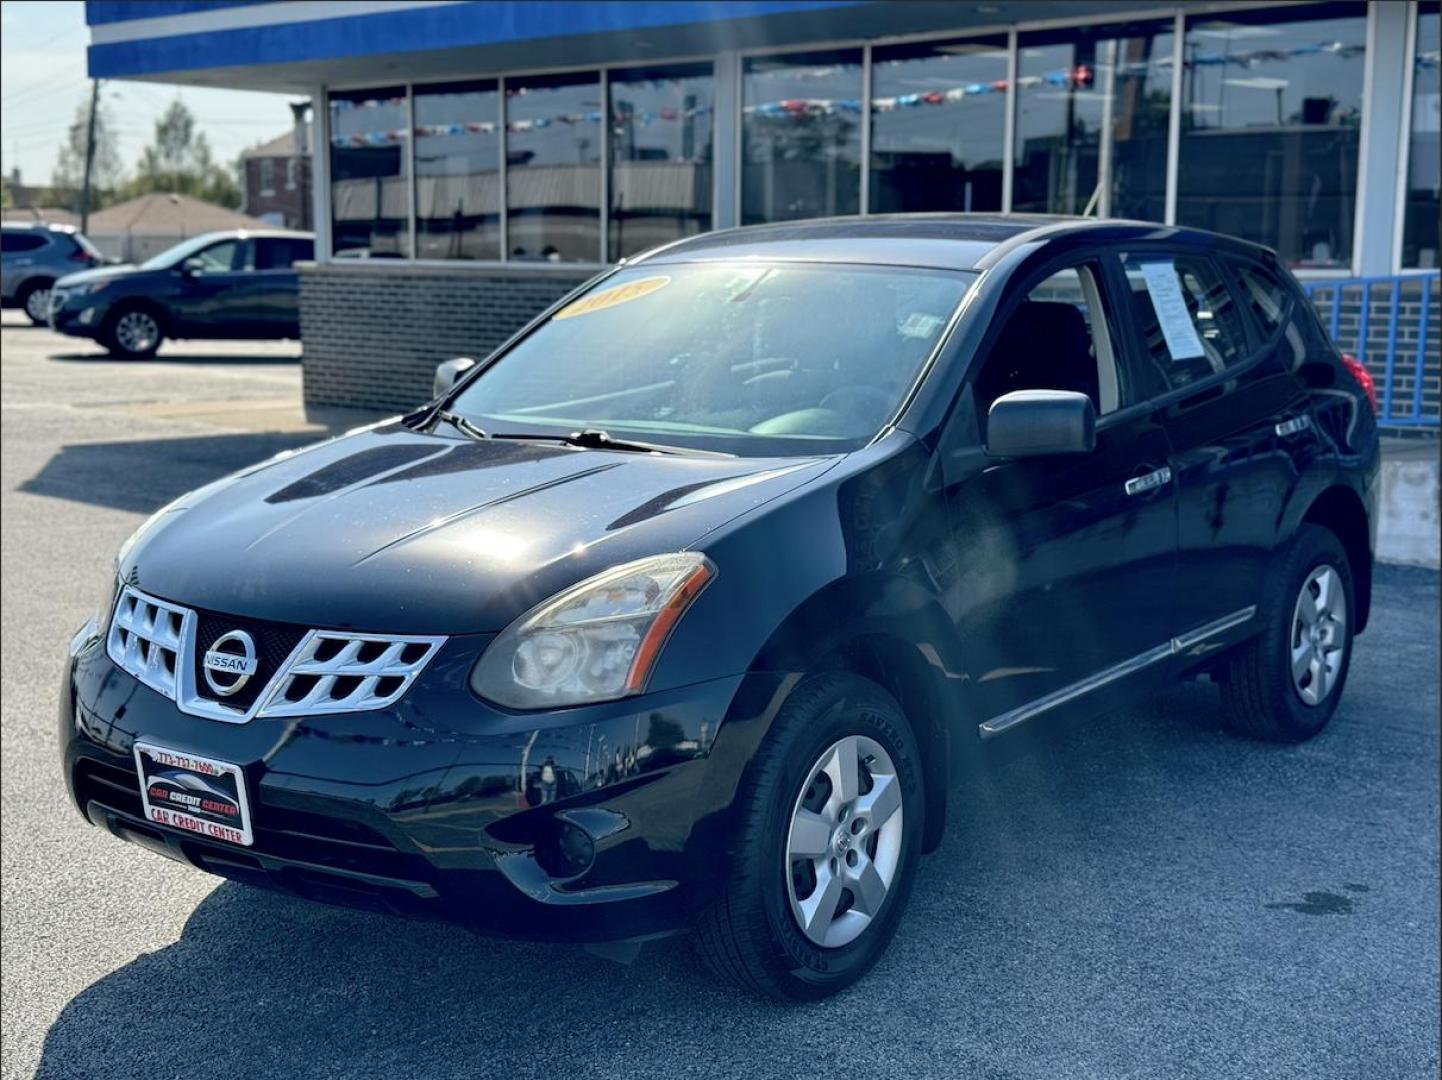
<point>1284,686</point>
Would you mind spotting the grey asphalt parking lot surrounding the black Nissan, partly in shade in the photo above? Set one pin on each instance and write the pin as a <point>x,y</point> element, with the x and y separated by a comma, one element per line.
<point>1154,900</point>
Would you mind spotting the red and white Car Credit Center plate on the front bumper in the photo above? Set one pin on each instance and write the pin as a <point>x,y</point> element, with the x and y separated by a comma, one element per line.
<point>194,794</point>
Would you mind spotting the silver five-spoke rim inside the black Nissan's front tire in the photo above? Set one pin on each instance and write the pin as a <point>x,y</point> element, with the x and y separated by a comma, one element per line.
<point>844,844</point>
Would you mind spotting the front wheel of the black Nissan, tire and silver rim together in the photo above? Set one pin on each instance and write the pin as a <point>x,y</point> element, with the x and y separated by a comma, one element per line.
<point>830,837</point>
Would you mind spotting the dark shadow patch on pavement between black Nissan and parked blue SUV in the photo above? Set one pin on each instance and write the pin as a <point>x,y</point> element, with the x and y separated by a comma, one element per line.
<point>145,475</point>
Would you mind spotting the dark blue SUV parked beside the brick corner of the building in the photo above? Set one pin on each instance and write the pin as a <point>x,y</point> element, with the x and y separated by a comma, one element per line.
<point>223,285</point>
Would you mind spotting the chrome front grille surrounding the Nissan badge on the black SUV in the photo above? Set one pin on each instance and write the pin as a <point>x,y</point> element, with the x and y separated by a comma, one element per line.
<point>329,671</point>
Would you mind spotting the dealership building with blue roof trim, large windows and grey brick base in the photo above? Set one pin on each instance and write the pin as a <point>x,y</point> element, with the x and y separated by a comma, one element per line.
<point>475,161</point>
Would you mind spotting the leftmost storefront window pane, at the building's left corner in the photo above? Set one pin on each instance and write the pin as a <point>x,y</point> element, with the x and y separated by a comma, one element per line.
<point>370,148</point>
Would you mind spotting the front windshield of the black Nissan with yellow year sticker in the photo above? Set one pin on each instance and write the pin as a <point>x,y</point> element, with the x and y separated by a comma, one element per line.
<point>736,357</point>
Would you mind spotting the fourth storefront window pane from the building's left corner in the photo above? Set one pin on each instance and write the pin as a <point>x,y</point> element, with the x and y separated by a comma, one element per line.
<point>661,156</point>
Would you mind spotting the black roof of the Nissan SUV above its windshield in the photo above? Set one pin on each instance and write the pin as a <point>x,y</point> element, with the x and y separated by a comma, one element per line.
<point>944,242</point>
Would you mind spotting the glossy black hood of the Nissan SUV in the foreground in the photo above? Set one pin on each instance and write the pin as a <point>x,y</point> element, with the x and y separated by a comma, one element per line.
<point>390,530</point>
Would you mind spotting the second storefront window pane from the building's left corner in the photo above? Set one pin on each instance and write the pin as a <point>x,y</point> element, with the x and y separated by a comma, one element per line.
<point>458,171</point>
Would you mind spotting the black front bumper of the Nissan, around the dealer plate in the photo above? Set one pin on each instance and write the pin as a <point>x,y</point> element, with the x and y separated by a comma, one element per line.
<point>588,826</point>
